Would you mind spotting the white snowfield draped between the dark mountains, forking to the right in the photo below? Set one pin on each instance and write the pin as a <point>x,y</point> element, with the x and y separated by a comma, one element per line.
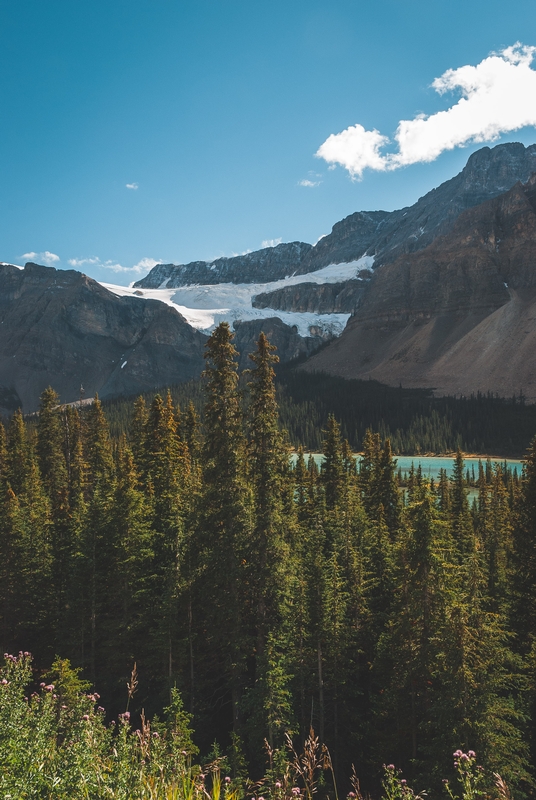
<point>205,306</point>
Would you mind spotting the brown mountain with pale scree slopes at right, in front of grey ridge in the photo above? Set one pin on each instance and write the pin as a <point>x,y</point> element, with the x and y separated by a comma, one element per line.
<point>459,316</point>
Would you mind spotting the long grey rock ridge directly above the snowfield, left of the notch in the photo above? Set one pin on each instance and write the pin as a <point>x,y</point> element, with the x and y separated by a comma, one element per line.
<point>275,262</point>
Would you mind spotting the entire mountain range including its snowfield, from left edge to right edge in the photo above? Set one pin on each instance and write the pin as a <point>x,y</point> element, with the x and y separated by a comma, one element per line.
<point>449,303</point>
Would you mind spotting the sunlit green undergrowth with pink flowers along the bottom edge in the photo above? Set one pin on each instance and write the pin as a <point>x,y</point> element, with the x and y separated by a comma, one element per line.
<point>56,745</point>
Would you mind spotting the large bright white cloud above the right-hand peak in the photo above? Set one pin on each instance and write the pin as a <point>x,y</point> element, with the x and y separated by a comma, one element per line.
<point>498,95</point>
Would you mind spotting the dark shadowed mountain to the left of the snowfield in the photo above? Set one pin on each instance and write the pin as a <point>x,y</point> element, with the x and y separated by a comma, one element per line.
<point>63,329</point>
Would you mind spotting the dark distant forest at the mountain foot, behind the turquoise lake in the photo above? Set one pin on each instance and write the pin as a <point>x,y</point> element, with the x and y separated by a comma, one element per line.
<point>414,420</point>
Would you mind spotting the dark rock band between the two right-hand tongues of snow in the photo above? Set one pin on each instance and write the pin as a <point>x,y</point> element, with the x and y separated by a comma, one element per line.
<point>316,298</point>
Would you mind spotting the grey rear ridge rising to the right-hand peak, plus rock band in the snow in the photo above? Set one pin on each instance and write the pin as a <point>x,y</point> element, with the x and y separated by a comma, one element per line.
<point>378,236</point>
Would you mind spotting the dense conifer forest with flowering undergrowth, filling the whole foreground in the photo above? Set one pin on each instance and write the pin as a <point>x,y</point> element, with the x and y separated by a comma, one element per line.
<point>242,603</point>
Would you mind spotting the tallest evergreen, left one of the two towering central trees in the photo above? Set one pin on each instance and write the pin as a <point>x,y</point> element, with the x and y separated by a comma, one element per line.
<point>223,527</point>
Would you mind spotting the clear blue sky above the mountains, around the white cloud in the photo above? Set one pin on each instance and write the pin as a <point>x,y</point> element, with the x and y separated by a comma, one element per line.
<point>214,110</point>
